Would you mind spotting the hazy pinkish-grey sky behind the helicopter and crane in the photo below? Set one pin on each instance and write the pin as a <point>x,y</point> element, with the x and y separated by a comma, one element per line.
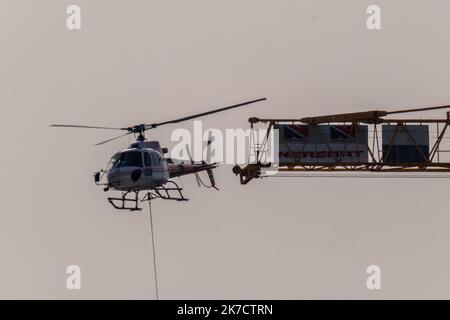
<point>144,61</point>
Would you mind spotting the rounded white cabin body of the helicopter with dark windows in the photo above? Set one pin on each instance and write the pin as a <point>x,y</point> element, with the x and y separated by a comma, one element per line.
<point>137,169</point>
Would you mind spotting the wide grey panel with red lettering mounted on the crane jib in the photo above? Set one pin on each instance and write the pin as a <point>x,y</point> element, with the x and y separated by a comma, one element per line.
<point>320,144</point>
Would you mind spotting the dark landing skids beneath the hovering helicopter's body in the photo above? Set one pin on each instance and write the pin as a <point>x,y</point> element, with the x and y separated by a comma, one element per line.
<point>172,192</point>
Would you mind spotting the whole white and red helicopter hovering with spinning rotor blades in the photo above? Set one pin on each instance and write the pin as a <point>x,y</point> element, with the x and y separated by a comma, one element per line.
<point>142,167</point>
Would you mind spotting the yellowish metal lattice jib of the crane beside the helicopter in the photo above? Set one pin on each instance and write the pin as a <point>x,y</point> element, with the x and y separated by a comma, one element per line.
<point>434,160</point>
